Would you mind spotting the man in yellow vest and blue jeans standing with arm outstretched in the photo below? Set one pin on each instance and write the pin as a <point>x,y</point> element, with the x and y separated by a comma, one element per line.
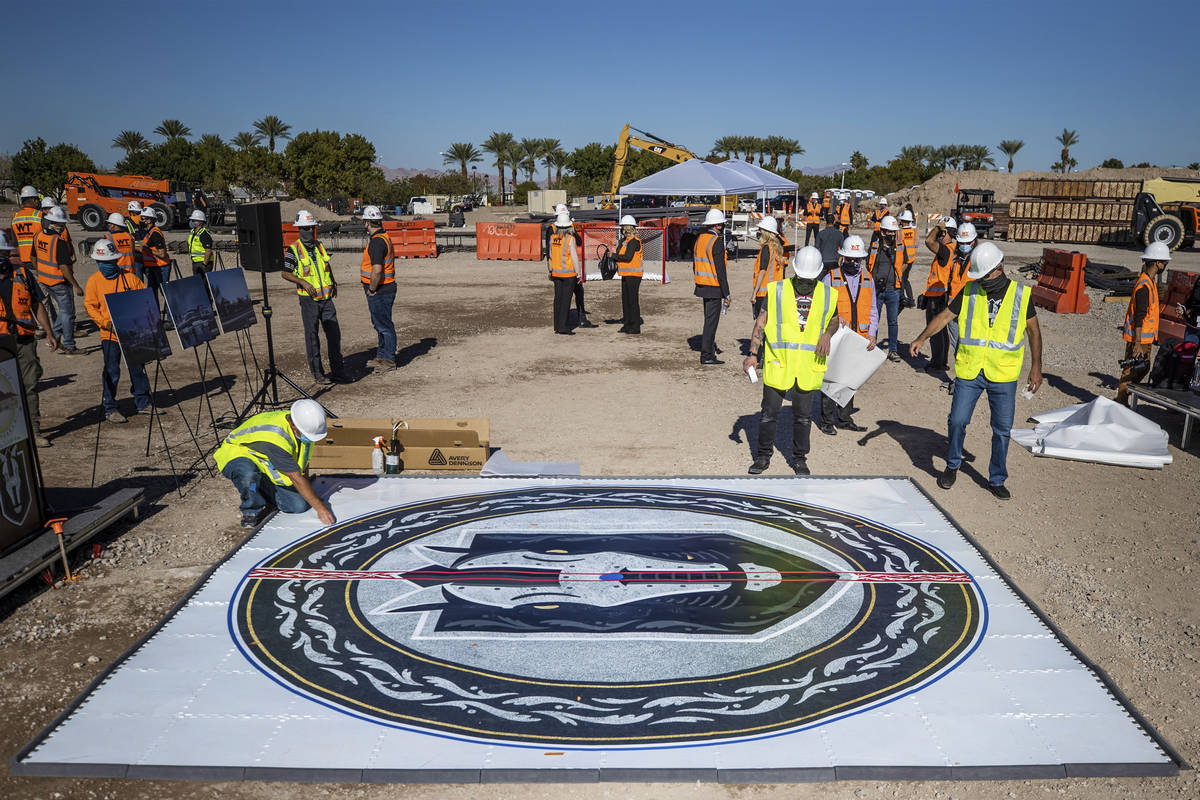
<point>994,317</point>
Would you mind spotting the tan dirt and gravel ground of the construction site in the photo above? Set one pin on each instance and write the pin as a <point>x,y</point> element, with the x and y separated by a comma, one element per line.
<point>1109,554</point>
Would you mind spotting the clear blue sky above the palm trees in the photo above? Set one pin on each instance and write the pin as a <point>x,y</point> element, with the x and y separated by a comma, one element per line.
<point>413,77</point>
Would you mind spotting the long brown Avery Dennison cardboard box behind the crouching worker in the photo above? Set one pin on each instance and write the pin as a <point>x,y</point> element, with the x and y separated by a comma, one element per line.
<point>428,444</point>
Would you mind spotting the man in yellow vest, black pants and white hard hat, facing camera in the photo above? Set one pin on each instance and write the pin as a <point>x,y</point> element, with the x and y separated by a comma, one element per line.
<point>800,322</point>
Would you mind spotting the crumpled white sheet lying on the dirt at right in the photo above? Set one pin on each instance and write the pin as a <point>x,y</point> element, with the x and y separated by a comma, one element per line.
<point>1101,431</point>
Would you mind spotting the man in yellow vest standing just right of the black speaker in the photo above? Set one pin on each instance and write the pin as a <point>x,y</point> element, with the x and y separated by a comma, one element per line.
<point>307,266</point>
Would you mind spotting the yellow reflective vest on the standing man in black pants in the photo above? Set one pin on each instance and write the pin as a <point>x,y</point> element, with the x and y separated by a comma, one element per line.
<point>790,359</point>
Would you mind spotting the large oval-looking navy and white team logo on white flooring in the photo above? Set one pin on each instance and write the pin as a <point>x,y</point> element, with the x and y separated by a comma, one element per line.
<point>607,616</point>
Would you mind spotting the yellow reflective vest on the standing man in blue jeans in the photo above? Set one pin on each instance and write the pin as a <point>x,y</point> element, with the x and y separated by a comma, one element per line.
<point>997,347</point>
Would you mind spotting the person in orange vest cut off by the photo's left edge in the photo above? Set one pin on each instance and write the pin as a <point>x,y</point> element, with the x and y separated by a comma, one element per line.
<point>21,305</point>
